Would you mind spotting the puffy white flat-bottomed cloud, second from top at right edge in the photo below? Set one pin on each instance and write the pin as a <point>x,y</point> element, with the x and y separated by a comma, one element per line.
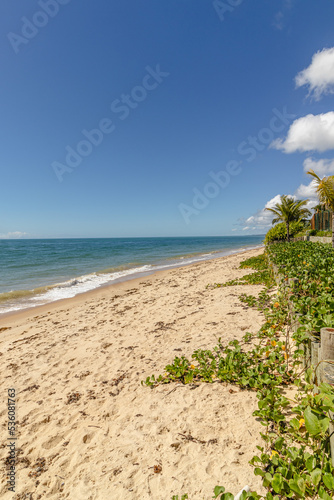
<point>309,133</point>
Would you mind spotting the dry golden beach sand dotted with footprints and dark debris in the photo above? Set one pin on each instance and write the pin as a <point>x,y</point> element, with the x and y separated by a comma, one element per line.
<point>89,430</point>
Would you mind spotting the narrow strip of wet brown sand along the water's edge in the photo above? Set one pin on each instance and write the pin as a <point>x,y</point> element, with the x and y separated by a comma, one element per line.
<point>124,279</point>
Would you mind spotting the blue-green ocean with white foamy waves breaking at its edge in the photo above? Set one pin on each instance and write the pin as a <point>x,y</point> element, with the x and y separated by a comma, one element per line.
<point>35,272</point>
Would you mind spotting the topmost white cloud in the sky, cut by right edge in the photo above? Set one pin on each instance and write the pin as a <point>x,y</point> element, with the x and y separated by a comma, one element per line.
<point>319,76</point>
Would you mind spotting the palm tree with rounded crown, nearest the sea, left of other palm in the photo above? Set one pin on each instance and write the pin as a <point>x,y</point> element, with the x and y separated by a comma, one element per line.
<point>289,210</point>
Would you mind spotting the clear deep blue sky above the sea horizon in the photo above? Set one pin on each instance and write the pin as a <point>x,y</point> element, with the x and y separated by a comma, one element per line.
<point>178,91</point>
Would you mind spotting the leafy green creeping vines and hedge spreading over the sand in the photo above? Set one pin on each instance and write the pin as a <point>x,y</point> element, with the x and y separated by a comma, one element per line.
<point>294,461</point>
